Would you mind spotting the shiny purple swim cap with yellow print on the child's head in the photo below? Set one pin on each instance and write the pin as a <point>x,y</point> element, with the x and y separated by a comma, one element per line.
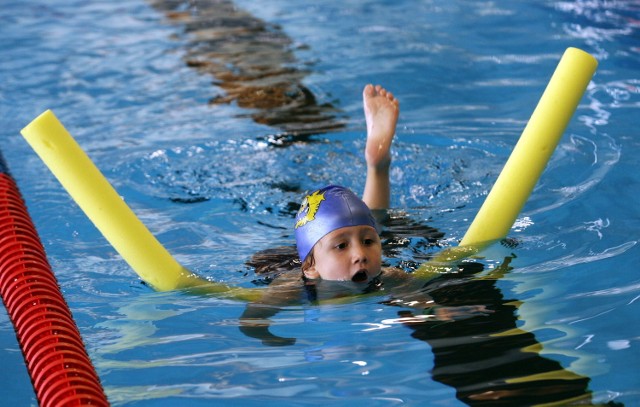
<point>325,210</point>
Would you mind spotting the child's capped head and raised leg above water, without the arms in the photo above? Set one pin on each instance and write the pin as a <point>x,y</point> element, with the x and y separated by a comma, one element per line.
<point>336,233</point>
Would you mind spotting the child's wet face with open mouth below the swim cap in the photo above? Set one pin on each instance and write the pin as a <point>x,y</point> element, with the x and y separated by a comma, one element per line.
<point>348,254</point>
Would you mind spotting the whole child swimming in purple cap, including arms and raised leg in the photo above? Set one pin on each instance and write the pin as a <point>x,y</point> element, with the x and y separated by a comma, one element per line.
<point>338,242</point>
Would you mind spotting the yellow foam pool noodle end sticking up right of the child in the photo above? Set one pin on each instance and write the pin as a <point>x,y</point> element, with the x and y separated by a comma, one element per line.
<point>529,157</point>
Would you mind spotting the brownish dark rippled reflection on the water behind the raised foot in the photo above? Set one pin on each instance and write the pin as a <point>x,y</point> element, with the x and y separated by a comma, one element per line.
<point>254,63</point>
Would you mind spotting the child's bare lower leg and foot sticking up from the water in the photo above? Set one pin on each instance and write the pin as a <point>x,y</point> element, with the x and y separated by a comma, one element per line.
<point>381,111</point>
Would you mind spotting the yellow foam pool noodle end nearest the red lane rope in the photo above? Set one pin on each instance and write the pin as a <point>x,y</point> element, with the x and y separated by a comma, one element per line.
<point>104,207</point>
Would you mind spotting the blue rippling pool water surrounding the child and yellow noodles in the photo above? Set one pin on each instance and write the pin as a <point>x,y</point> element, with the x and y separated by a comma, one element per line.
<point>215,183</point>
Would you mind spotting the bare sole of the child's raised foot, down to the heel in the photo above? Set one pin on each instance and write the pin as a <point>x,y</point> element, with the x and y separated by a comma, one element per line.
<point>381,111</point>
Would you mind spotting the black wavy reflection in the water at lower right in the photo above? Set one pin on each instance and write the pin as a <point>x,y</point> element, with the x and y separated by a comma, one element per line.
<point>486,358</point>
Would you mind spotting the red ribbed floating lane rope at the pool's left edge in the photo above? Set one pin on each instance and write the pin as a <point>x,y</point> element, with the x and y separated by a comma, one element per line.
<point>61,371</point>
